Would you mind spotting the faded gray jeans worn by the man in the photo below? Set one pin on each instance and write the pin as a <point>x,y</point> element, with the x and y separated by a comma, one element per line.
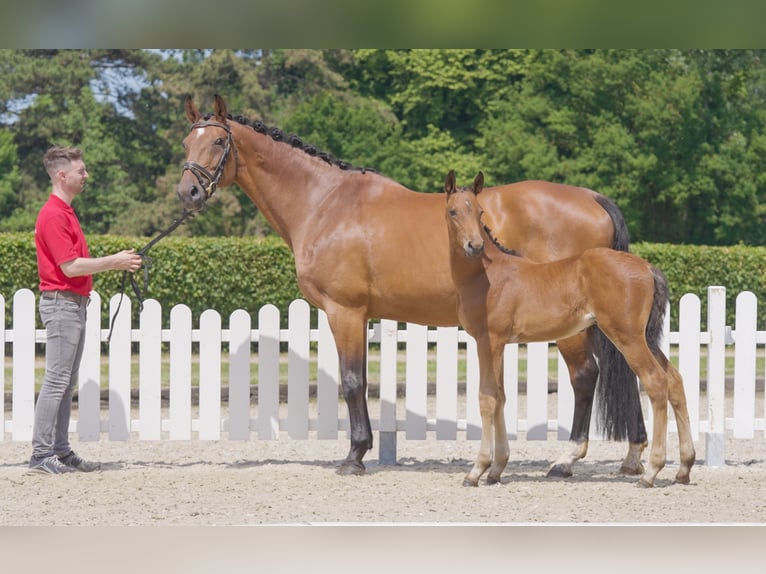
<point>64,323</point>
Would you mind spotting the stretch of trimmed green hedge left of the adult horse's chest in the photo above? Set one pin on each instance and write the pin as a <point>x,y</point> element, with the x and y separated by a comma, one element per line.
<point>224,274</point>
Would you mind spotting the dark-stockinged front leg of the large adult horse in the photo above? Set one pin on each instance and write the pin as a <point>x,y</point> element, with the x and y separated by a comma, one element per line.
<point>349,330</point>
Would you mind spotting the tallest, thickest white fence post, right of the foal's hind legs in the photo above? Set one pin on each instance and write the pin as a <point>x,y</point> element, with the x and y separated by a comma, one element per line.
<point>716,379</point>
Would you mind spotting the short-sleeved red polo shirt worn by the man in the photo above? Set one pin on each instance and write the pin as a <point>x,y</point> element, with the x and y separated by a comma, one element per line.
<point>58,239</point>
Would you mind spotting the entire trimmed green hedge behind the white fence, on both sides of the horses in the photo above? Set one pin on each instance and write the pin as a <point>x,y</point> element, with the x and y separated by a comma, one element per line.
<point>246,273</point>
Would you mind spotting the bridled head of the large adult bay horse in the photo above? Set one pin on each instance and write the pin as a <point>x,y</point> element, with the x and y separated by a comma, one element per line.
<point>210,155</point>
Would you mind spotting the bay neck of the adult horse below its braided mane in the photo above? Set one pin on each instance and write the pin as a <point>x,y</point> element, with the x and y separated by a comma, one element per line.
<point>284,183</point>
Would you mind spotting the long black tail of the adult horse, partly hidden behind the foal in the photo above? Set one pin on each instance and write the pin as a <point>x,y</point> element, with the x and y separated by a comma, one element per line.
<point>619,412</point>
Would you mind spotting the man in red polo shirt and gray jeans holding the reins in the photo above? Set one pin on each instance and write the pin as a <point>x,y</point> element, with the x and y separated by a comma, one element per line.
<point>66,279</point>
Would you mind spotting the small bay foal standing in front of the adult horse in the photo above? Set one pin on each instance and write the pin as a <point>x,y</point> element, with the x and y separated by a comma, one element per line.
<point>504,298</point>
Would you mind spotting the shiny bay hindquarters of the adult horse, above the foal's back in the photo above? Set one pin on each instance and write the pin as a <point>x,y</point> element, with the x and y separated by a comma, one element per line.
<point>545,221</point>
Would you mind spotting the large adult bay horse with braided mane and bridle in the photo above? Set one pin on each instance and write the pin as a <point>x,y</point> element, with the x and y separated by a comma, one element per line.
<point>367,247</point>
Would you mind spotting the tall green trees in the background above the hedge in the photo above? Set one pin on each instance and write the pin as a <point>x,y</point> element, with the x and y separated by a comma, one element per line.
<point>676,137</point>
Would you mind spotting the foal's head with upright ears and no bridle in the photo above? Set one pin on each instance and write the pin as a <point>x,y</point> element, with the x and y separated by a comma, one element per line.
<point>464,215</point>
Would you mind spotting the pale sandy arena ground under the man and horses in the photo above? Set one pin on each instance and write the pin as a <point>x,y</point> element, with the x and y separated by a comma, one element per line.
<point>193,483</point>
